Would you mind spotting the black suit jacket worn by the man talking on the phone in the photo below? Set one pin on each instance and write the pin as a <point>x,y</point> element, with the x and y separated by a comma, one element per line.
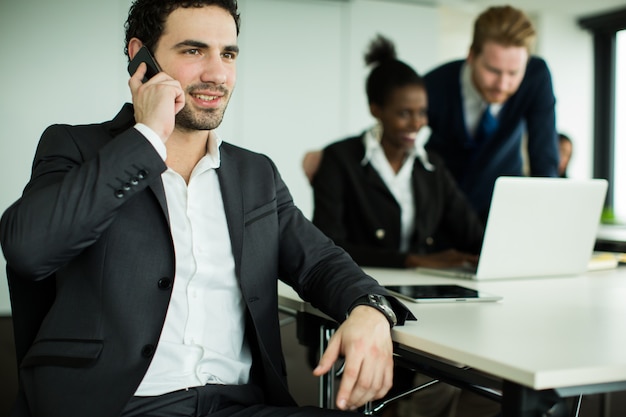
<point>89,242</point>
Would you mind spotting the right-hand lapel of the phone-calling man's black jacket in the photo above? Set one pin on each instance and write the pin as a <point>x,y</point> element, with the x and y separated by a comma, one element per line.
<point>232,195</point>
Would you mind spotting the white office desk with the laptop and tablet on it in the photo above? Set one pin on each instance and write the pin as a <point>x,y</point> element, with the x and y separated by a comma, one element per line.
<point>565,333</point>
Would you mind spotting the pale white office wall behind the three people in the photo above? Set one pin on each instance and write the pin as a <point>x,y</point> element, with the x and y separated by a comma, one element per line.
<point>300,81</point>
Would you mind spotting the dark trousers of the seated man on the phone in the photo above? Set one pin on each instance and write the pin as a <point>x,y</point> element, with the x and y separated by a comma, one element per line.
<point>218,401</point>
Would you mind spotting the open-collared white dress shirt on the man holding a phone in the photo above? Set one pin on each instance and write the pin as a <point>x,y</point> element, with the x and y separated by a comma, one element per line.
<point>202,341</point>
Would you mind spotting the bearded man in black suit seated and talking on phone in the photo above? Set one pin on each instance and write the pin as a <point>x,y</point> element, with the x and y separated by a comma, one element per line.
<point>144,253</point>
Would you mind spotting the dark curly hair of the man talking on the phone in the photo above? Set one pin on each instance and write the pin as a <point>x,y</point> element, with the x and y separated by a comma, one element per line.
<point>146,18</point>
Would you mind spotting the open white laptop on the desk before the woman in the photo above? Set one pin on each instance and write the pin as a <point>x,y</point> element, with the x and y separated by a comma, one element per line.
<point>537,227</point>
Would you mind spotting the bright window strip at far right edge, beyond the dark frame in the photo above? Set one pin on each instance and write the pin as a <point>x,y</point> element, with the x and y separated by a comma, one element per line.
<point>619,189</point>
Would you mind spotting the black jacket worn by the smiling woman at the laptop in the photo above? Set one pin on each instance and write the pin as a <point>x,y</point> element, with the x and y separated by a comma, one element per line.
<point>354,207</point>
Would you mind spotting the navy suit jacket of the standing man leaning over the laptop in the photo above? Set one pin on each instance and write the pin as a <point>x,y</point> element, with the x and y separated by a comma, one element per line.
<point>476,167</point>
